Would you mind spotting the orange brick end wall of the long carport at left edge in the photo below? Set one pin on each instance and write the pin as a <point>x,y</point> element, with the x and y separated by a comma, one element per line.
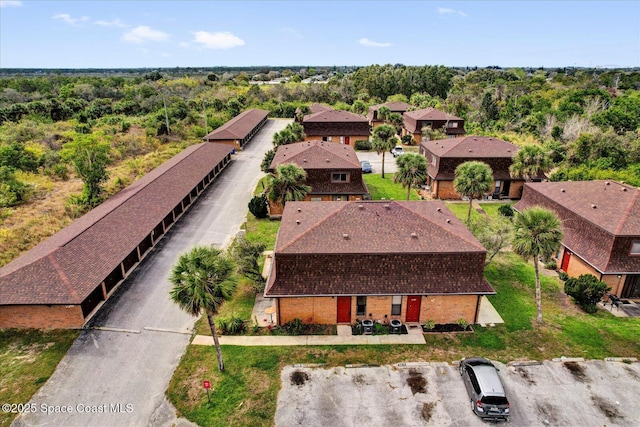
<point>41,316</point>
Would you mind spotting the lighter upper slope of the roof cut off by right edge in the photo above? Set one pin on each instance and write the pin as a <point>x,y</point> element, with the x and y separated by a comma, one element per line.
<point>617,206</point>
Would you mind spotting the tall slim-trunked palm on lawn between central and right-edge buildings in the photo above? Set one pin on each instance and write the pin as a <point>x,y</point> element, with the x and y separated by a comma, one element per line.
<point>537,233</point>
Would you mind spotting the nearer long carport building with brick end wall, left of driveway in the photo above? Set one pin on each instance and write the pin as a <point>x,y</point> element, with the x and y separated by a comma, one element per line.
<point>61,282</point>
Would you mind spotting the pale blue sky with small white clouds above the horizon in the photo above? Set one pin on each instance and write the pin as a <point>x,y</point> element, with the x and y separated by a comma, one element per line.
<point>154,34</point>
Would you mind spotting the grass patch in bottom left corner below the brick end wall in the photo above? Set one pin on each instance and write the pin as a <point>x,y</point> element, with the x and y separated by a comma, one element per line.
<point>27,360</point>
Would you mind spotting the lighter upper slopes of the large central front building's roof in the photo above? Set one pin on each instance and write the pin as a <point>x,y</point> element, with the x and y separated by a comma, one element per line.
<point>373,227</point>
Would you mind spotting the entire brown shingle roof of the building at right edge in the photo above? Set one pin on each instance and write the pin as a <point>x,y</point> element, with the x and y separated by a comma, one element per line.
<point>600,219</point>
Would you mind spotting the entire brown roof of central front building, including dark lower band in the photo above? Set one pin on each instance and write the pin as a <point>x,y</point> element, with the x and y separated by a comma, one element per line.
<point>375,247</point>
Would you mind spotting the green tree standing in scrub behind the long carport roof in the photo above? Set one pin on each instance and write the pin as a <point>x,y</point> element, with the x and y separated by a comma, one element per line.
<point>90,158</point>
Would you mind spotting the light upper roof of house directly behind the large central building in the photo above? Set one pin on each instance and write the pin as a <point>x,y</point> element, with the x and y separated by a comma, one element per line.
<point>317,155</point>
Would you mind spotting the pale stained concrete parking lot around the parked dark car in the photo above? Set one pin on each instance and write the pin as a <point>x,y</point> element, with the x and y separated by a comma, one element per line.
<point>592,393</point>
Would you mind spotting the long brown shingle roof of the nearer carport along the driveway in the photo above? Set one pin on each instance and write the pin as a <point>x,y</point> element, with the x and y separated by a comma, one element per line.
<point>66,267</point>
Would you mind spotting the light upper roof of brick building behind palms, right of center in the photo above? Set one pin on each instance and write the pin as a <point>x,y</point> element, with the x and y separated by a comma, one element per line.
<point>471,147</point>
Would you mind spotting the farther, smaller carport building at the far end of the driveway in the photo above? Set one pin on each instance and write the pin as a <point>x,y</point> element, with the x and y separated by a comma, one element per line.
<point>239,130</point>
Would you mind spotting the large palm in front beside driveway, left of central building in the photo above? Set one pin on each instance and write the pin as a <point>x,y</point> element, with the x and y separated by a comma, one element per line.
<point>202,280</point>
